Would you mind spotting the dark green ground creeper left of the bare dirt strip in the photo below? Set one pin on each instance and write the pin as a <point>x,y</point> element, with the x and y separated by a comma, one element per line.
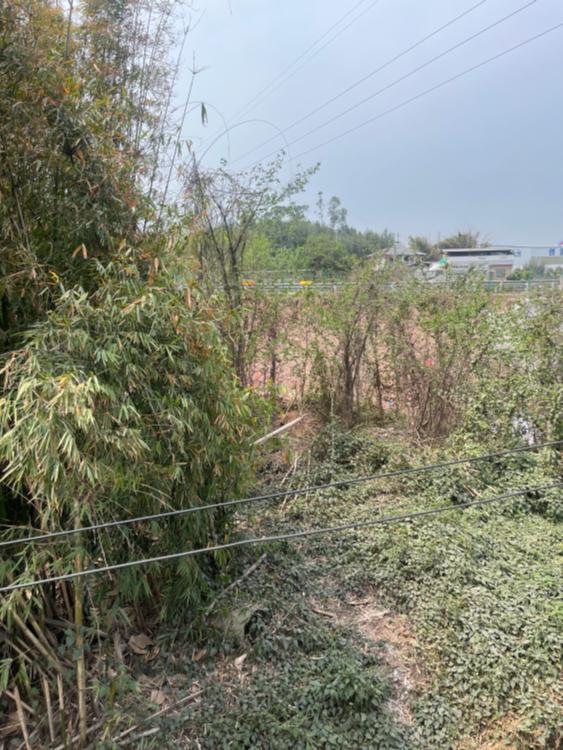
<point>305,682</point>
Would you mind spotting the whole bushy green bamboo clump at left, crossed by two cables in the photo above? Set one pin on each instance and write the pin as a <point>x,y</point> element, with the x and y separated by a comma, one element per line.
<point>120,403</point>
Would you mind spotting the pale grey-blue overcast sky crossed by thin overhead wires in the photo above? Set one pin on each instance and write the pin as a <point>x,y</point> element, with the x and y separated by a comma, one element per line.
<point>484,152</point>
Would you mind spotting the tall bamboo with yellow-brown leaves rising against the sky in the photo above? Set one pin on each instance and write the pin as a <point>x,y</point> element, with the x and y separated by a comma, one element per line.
<point>78,105</point>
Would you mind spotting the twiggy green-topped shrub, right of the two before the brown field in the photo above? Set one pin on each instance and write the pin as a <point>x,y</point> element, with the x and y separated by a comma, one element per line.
<point>438,341</point>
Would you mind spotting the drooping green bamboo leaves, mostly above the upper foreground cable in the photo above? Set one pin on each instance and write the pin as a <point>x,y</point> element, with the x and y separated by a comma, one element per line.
<point>123,399</point>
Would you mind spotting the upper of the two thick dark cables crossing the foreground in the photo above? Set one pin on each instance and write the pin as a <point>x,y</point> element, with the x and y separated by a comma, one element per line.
<point>277,495</point>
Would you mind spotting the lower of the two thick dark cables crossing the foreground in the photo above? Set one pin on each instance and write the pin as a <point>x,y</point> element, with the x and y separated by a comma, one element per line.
<point>387,520</point>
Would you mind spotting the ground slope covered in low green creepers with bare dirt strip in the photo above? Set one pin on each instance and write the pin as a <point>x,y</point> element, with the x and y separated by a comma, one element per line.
<point>441,632</point>
